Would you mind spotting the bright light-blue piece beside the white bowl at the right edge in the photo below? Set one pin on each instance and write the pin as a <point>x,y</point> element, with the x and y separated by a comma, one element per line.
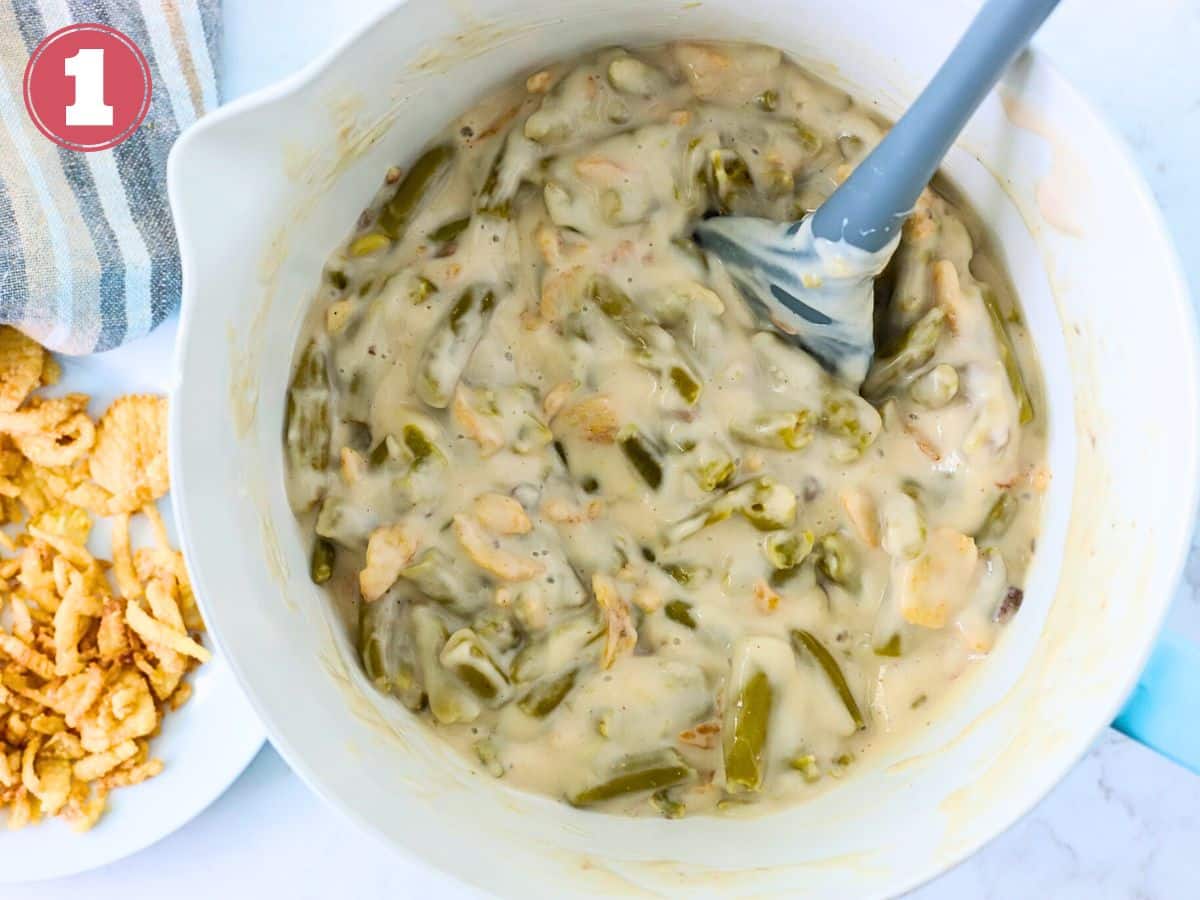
<point>1165,710</point>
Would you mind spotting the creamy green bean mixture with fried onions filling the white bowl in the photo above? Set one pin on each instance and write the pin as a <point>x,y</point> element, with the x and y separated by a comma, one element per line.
<point>615,542</point>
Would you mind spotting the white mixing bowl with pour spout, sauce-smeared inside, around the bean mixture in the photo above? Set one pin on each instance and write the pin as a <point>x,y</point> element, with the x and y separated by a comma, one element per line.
<point>265,189</point>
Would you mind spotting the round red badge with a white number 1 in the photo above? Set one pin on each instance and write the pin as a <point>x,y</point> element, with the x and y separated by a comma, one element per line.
<point>88,87</point>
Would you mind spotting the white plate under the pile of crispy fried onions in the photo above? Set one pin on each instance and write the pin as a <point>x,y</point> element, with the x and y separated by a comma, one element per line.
<point>206,745</point>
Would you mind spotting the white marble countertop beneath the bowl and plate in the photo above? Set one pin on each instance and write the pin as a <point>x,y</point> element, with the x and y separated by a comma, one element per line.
<point>1125,824</point>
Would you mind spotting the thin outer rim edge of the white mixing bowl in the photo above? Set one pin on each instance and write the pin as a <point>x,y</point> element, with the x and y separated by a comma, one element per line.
<point>908,879</point>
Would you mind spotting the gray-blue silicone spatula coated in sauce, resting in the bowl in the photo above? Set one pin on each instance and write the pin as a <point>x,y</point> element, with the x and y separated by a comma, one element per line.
<point>814,279</point>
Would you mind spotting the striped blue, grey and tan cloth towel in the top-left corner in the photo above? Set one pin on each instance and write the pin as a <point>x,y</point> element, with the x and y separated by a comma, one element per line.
<point>88,255</point>
